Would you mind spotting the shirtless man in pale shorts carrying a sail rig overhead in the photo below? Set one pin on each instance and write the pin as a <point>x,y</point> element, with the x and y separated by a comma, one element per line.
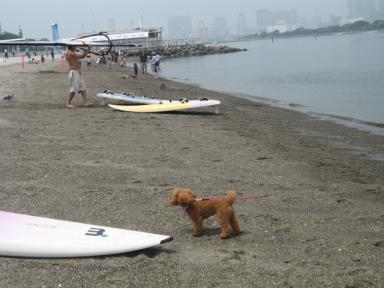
<point>77,83</point>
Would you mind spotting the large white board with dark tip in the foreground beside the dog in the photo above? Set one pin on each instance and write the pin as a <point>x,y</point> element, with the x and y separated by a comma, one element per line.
<point>29,236</point>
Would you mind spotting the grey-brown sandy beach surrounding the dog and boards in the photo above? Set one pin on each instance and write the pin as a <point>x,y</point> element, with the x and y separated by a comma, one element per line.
<point>321,224</point>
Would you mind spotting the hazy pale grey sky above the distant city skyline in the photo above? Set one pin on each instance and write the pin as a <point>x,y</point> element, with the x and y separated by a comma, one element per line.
<point>75,17</point>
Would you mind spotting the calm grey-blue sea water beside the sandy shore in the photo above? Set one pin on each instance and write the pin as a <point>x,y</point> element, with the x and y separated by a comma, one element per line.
<point>341,76</point>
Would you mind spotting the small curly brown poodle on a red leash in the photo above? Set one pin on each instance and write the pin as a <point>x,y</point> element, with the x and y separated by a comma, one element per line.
<point>200,209</point>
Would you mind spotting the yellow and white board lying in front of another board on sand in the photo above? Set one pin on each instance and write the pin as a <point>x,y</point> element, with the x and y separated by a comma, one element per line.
<point>173,106</point>
